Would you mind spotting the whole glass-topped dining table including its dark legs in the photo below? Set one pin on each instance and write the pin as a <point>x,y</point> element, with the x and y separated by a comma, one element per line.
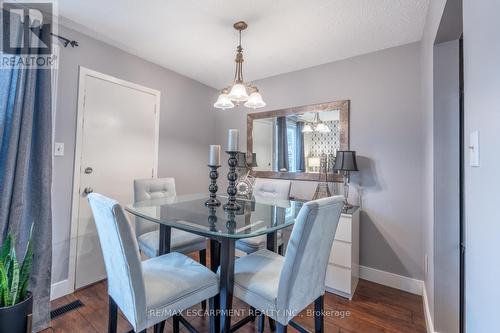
<point>255,217</point>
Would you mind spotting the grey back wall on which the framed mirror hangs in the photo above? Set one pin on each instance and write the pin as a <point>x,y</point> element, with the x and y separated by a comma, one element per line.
<point>386,131</point>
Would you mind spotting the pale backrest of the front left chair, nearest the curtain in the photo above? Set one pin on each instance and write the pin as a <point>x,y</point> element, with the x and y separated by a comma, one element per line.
<point>121,258</point>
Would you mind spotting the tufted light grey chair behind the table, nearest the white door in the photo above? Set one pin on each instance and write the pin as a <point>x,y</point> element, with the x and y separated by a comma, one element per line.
<point>147,232</point>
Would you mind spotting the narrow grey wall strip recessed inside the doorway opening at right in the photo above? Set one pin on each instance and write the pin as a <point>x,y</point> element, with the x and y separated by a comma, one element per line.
<point>446,187</point>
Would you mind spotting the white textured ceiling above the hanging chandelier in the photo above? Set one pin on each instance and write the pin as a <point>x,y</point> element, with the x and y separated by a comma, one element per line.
<point>196,38</point>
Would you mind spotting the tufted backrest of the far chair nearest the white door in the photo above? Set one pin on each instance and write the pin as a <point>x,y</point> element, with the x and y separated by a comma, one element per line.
<point>151,188</point>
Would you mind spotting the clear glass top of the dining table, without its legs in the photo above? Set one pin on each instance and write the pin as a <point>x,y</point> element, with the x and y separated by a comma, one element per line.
<point>257,216</point>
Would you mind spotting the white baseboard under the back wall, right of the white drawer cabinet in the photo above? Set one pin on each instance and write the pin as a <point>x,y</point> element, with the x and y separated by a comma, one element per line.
<point>400,282</point>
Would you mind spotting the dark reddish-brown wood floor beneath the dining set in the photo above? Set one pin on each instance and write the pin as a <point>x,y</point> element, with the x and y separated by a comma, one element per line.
<point>374,308</point>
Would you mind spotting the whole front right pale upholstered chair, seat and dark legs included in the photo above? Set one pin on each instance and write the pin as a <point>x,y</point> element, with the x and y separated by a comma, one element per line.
<point>281,287</point>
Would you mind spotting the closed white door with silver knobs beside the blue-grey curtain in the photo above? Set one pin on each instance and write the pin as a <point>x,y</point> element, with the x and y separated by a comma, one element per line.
<point>118,144</point>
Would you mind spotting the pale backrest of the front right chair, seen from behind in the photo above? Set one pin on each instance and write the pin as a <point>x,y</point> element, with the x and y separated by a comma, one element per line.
<point>303,275</point>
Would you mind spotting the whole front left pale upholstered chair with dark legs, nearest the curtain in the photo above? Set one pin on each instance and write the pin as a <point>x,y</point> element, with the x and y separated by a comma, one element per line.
<point>151,291</point>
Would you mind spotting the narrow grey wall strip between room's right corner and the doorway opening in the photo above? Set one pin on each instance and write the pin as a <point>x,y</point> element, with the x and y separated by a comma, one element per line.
<point>433,19</point>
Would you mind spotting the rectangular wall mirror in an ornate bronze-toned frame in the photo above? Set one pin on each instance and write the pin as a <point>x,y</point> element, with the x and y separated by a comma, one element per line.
<point>299,142</point>
